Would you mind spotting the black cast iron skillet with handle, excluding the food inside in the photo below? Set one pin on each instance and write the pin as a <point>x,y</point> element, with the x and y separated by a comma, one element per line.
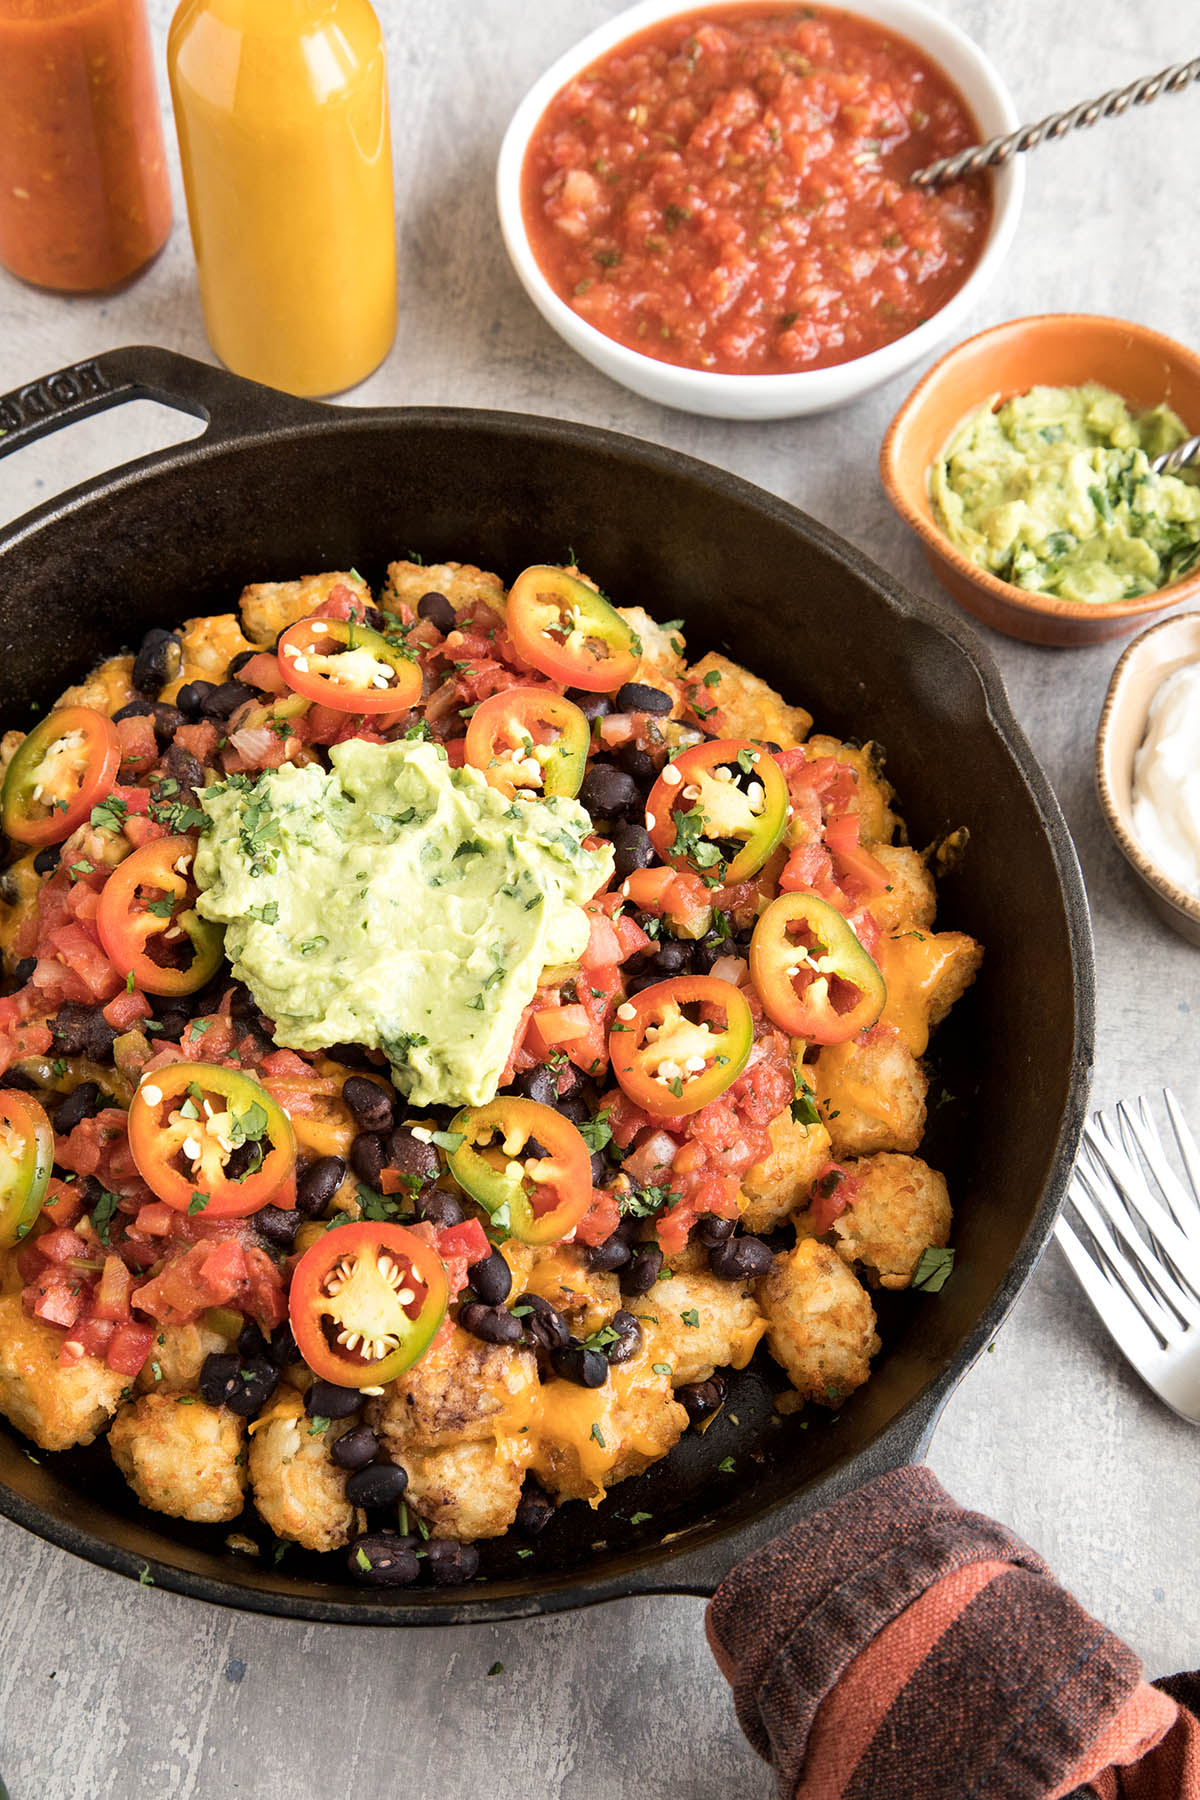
<point>280,489</point>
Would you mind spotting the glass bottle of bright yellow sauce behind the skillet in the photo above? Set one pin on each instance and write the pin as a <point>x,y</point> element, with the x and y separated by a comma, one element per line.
<point>282,112</point>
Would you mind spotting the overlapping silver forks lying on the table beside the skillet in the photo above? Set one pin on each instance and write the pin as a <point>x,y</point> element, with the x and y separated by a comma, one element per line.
<point>1131,1232</point>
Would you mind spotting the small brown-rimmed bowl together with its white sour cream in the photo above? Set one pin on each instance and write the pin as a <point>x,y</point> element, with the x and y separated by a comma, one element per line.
<point>1149,766</point>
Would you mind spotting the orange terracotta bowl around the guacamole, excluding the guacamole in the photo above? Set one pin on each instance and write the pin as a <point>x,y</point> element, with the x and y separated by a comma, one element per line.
<point>1059,350</point>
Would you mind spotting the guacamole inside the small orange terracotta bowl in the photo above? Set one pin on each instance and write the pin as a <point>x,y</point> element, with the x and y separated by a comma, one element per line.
<point>1053,490</point>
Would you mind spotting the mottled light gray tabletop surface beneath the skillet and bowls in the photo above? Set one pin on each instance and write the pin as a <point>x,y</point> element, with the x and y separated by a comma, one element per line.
<point>114,1691</point>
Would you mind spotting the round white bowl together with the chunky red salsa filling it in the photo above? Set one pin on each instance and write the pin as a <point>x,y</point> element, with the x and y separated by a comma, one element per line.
<point>715,210</point>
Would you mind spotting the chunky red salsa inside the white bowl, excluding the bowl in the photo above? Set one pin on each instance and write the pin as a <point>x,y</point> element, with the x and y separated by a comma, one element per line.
<point>730,190</point>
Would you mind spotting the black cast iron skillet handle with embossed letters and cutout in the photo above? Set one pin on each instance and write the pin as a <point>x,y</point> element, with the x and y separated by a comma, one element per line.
<point>145,372</point>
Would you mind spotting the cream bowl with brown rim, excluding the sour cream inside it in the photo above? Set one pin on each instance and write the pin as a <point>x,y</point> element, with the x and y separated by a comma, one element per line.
<point>1140,674</point>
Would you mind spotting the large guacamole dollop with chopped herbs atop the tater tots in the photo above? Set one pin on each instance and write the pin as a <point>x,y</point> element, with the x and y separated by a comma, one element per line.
<point>397,903</point>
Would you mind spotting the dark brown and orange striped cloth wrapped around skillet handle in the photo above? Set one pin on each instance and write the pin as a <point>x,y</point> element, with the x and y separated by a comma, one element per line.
<point>900,1648</point>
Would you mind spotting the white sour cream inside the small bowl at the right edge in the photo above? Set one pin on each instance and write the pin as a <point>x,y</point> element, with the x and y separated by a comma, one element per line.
<point>1167,780</point>
